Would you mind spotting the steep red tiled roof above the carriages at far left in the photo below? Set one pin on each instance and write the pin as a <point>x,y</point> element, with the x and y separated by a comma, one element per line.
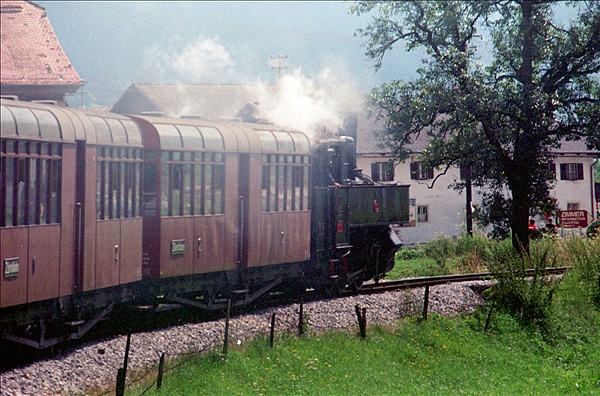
<point>31,53</point>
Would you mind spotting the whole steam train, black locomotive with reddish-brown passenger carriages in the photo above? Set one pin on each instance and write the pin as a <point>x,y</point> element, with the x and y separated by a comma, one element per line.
<point>99,209</point>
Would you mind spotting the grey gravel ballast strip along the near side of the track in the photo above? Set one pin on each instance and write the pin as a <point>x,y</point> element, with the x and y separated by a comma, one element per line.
<point>94,366</point>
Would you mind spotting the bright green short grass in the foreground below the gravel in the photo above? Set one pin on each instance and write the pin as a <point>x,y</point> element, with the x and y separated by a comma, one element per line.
<point>438,357</point>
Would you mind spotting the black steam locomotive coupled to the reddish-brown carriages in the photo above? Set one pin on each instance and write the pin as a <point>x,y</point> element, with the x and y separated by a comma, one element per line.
<point>352,239</point>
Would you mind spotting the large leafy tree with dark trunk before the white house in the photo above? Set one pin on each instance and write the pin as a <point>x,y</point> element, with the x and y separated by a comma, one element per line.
<point>501,119</point>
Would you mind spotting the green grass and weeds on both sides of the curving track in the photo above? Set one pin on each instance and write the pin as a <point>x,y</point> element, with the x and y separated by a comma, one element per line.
<point>542,339</point>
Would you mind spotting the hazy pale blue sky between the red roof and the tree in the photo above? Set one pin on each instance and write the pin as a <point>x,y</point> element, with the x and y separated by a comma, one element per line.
<point>112,44</point>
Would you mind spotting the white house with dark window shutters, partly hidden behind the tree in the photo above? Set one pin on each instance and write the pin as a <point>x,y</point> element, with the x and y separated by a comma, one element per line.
<point>439,210</point>
